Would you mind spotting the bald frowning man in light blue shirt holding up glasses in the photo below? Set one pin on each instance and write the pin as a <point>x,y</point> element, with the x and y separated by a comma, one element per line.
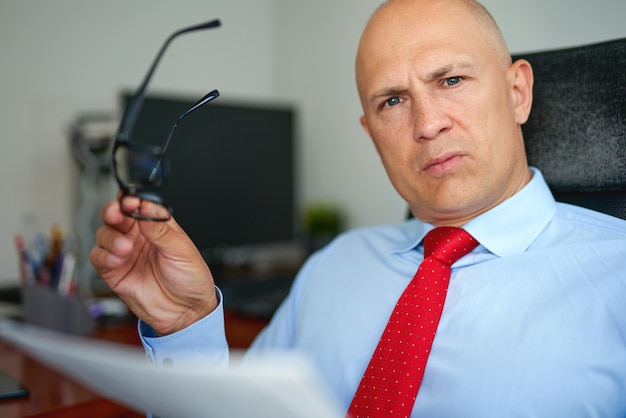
<point>534,322</point>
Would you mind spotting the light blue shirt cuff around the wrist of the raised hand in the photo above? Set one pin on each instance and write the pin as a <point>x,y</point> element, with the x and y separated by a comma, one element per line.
<point>202,341</point>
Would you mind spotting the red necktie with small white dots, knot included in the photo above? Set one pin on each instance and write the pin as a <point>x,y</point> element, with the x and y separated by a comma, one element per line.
<point>390,383</point>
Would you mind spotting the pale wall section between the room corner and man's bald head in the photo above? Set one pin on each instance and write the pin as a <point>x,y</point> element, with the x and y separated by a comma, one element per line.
<point>317,47</point>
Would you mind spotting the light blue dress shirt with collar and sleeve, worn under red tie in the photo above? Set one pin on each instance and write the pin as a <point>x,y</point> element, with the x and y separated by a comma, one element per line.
<point>534,323</point>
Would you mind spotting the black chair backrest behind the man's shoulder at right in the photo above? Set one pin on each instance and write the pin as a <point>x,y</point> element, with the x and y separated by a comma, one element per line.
<point>576,133</point>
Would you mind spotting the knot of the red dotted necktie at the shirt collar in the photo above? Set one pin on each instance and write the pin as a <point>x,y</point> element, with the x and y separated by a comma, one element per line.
<point>448,244</point>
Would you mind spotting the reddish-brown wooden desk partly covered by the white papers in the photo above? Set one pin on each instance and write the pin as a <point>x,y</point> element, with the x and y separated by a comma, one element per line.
<point>54,395</point>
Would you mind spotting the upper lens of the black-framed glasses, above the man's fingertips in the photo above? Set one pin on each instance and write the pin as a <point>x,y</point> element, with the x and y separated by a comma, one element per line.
<point>139,166</point>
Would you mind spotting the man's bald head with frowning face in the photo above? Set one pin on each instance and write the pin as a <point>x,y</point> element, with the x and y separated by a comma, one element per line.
<point>443,111</point>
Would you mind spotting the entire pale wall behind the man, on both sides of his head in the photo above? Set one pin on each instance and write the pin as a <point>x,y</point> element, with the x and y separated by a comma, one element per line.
<point>67,56</point>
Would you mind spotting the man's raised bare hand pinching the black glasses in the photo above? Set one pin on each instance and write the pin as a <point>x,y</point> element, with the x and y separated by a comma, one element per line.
<point>155,268</point>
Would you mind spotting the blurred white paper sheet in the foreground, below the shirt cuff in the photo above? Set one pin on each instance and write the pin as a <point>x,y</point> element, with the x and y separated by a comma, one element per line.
<point>271,386</point>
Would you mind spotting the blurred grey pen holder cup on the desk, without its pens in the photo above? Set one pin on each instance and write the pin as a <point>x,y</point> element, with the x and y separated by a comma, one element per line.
<point>48,309</point>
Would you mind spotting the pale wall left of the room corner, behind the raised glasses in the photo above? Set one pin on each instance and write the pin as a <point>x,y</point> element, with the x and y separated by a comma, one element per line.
<point>63,57</point>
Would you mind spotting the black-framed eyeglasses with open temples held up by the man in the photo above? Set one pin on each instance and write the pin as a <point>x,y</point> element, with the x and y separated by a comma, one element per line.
<point>142,170</point>
